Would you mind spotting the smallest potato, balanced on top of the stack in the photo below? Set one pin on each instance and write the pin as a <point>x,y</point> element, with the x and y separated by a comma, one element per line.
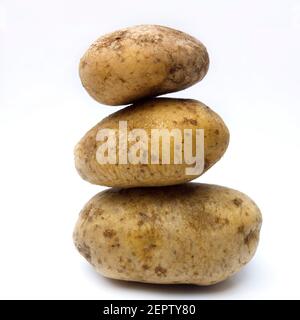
<point>142,61</point>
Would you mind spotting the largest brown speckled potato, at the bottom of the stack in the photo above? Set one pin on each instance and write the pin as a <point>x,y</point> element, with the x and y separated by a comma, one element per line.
<point>192,233</point>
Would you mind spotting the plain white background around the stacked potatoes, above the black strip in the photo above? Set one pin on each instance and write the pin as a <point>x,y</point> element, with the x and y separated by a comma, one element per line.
<point>253,83</point>
